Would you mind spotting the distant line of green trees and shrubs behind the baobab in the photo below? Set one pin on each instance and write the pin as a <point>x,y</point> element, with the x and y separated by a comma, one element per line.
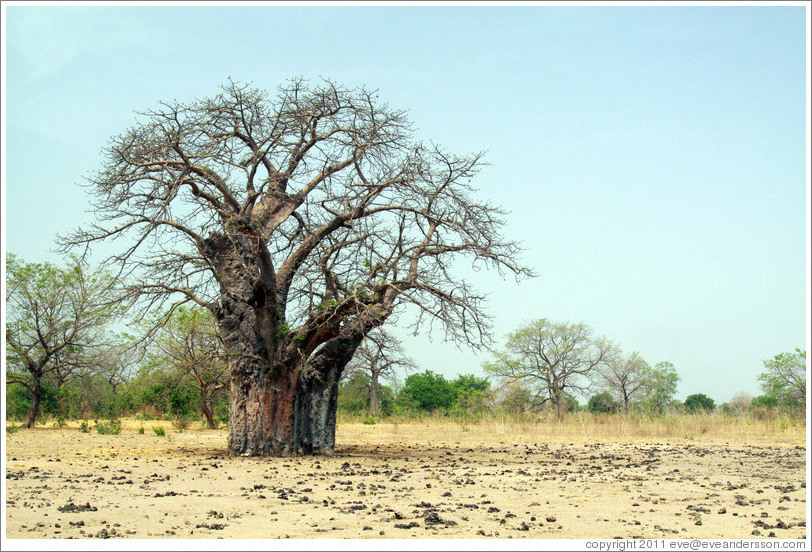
<point>64,361</point>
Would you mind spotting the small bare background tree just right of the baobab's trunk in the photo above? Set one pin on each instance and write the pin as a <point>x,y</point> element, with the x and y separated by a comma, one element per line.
<point>380,356</point>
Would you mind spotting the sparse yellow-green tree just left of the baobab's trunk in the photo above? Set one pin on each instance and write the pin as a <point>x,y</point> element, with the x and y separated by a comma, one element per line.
<point>190,343</point>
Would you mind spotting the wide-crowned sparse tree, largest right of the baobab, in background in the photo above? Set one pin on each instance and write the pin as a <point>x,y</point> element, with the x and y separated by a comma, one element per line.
<point>553,358</point>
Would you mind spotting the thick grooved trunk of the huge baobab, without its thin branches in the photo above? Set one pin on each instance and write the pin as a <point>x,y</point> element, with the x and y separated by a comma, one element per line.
<point>283,400</point>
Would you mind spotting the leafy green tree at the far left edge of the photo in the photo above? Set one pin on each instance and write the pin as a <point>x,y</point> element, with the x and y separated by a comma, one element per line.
<point>54,320</point>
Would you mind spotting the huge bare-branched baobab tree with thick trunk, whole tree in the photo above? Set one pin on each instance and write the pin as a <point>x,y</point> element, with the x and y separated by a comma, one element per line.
<point>302,221</point>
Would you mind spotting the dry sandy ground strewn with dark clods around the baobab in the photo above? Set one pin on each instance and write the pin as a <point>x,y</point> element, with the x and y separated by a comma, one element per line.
<point>386,481</point>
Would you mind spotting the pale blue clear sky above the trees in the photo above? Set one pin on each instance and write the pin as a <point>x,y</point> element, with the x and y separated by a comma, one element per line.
<point>653,158</point>
